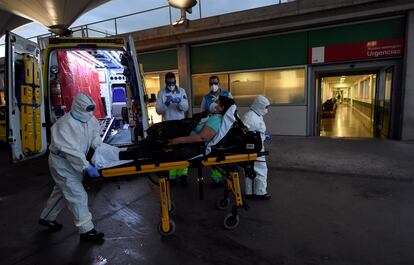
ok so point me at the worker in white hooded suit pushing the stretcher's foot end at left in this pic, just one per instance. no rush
(72, 136)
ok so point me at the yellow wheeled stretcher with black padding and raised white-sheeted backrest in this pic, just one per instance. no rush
(240, 151)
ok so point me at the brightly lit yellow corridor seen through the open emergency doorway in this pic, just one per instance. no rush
(347, 105)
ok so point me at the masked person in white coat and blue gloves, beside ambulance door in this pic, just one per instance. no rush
(172, 103)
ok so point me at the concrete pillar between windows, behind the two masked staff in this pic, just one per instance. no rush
(184, 72)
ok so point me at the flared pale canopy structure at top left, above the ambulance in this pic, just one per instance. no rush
(57, 15)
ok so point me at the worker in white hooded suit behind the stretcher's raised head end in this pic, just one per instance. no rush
(253, 119)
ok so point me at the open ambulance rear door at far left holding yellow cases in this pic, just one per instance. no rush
(25, 121)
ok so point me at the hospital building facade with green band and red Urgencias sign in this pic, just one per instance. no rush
(300, 55)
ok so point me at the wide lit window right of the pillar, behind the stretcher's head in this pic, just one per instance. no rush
(285, 86)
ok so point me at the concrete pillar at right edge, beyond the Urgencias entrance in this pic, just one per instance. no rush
(408, 81)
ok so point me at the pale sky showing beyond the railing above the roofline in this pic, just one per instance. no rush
(131, 22)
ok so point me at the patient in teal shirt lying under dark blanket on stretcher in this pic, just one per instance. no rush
(195, 137)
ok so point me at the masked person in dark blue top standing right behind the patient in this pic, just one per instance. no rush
(206, 104)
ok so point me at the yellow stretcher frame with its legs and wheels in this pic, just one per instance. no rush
(167, 226)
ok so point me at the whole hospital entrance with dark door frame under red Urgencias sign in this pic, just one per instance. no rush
(359, 100)
